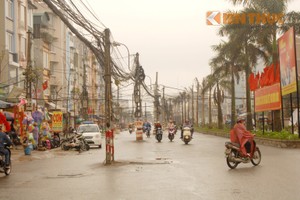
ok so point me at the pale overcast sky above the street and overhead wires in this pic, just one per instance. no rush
(171, 36)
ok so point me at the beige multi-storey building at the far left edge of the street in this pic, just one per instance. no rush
(15, 21)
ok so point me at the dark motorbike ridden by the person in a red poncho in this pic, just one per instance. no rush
(234, 155)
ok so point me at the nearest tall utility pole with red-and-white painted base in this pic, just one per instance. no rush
(108, 95)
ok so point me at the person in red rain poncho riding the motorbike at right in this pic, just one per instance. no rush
(244, 138)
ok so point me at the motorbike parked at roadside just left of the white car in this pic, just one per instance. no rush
(77, 141)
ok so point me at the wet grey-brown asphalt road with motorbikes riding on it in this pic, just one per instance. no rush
(151, 170)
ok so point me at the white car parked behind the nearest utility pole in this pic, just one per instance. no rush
(91, 133)
